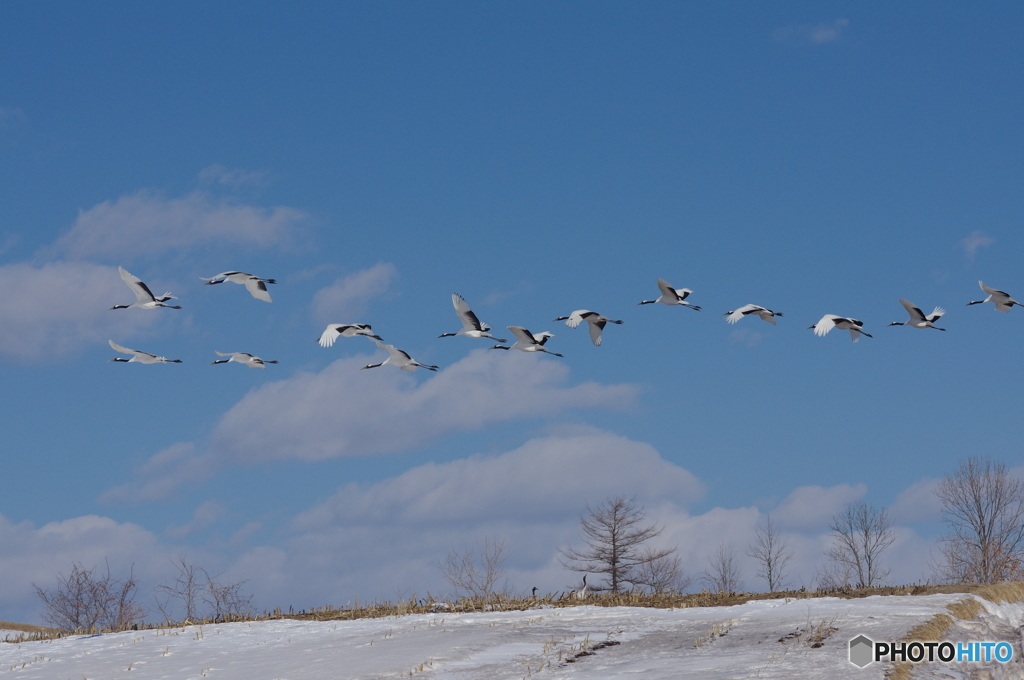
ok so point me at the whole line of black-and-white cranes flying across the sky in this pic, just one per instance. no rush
(526, 342)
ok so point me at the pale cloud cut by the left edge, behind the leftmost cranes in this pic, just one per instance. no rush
(55, 310)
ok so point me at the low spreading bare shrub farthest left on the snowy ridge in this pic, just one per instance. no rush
(88, 601)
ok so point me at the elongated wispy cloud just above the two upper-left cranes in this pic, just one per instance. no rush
(146, 224)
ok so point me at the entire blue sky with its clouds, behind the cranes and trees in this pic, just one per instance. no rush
(536, 158)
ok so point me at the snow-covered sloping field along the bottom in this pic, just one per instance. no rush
(742, 642)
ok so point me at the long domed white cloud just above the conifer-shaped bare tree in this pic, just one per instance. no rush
(548, 477)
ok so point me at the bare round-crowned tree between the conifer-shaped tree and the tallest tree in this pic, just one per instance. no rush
(862, 533)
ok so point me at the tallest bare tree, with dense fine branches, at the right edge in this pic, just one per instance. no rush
(984, 507)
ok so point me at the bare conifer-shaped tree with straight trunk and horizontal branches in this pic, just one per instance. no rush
(615, 534)
